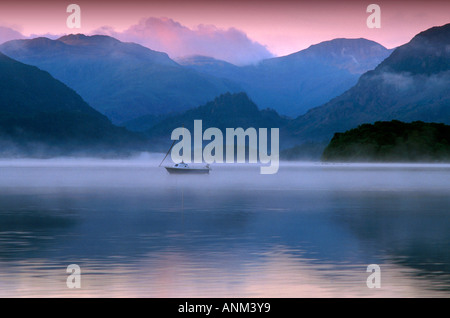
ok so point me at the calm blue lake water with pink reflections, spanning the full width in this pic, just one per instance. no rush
(308, 231)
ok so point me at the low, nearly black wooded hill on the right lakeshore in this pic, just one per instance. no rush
(393, 141)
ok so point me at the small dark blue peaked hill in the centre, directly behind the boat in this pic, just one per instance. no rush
(225, 111)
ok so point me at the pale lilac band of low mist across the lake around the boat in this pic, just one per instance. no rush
(144, 173)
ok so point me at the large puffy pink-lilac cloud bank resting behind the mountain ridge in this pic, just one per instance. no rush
(171, 37)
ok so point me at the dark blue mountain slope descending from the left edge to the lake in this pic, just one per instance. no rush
(39, 115)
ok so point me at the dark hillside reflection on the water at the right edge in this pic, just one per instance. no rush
(411, 229)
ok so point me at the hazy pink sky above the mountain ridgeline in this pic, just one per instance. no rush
(279, 27)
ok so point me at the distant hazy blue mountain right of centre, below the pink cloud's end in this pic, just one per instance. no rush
(295, 83)
